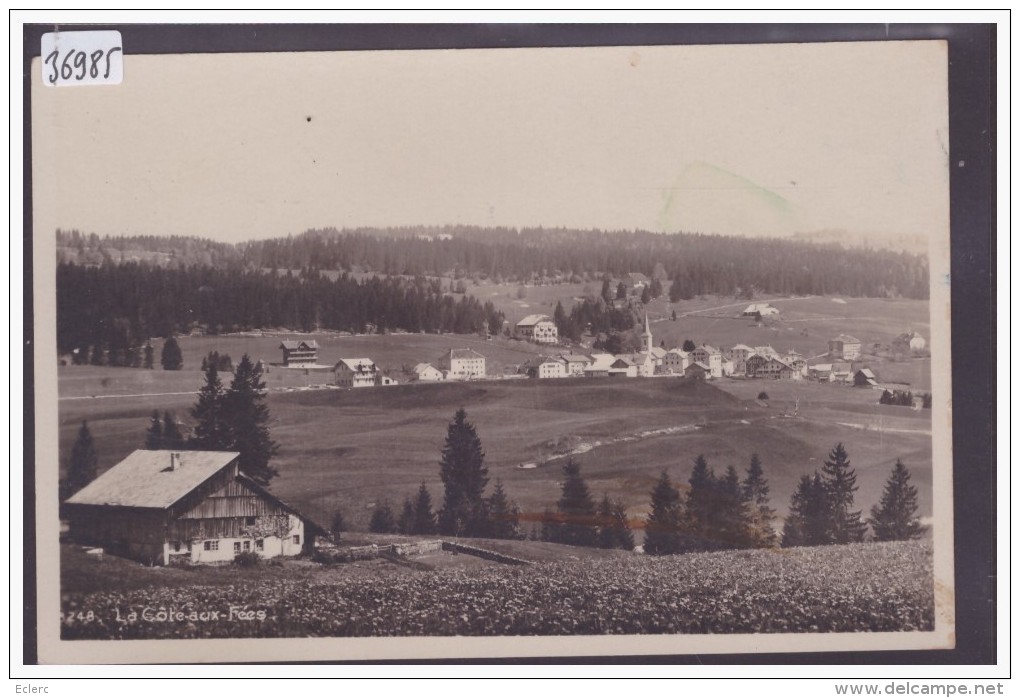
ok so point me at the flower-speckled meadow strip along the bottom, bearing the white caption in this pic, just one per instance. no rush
(863, 587)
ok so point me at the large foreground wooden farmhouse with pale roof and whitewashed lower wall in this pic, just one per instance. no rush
(191, 507)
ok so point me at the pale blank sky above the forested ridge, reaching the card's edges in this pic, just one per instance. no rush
(748, 140)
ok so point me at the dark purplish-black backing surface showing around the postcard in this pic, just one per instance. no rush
(973, 138)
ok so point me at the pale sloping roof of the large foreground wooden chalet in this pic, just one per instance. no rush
(145, 480)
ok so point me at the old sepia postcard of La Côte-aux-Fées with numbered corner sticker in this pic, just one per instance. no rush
(492, 353)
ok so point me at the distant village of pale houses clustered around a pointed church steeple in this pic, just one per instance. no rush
(842, 365)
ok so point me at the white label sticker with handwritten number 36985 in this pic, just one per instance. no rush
(82, 59)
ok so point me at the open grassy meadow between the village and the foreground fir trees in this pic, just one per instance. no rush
(352, 451)
